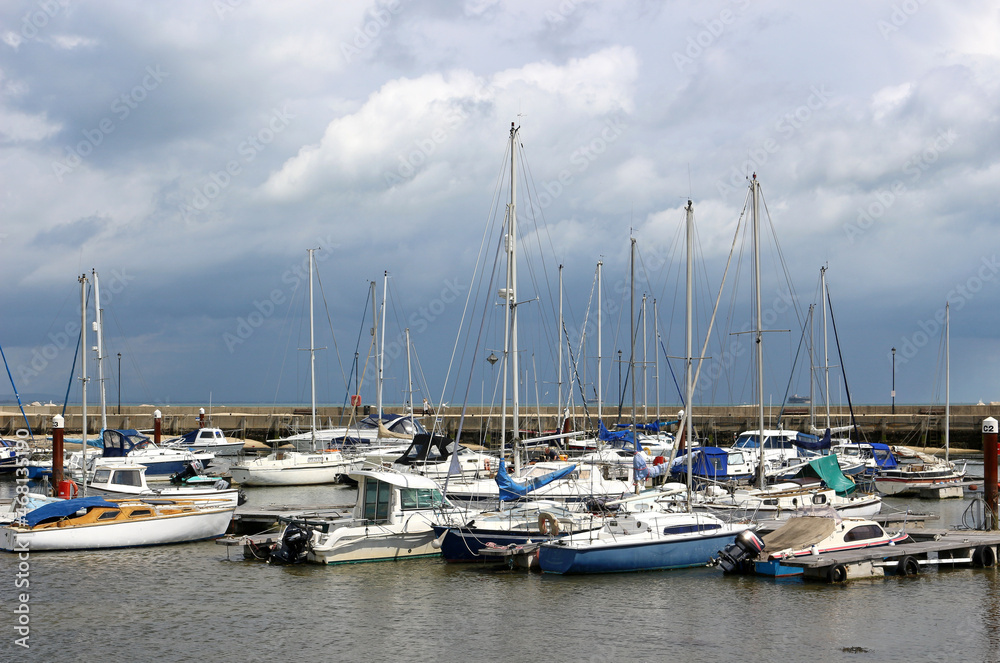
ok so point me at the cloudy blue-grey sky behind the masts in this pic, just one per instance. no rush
(191, 152)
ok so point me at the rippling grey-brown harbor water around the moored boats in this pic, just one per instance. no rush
(204, 602)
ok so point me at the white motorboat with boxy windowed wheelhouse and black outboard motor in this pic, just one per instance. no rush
(393, 518)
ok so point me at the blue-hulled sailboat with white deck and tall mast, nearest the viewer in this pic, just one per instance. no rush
(648, 538)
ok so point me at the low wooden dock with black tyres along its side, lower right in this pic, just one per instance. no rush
(930, 548)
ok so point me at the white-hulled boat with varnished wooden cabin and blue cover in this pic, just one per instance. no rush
(91, 523)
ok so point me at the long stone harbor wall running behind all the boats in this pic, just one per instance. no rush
(915, 425)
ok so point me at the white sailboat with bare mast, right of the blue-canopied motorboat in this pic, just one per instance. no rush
(295, 468)
